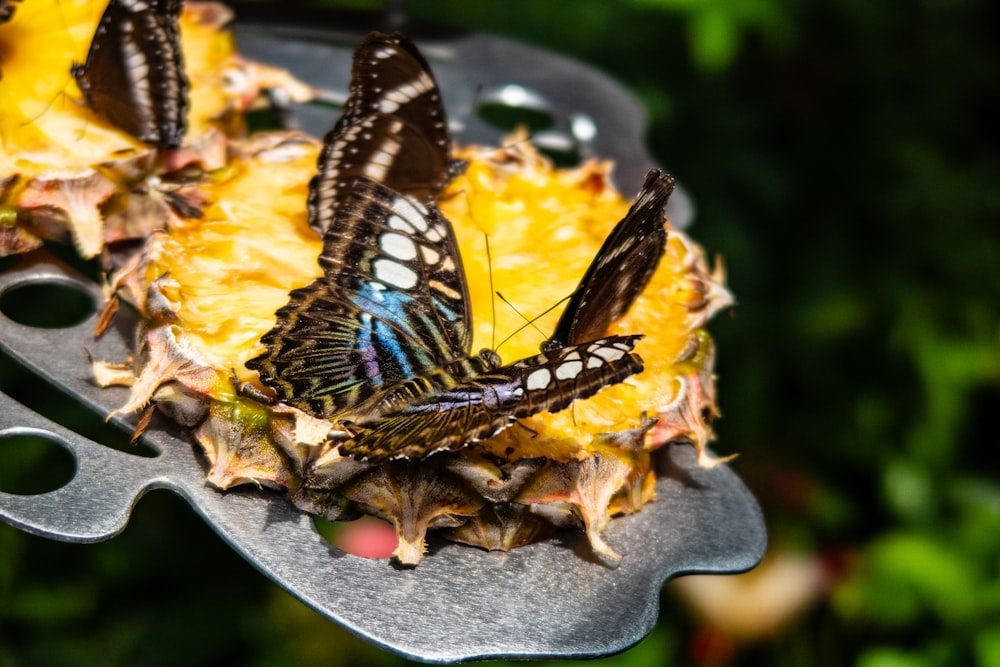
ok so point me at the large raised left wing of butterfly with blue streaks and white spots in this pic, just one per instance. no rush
(392, 305)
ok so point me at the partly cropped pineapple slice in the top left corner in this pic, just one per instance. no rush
(66, 174)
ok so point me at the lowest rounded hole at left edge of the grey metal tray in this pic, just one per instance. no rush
(33, 464)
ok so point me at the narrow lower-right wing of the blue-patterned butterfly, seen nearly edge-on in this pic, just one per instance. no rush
(488, 403)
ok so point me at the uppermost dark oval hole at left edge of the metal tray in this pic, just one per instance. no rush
(47, 305)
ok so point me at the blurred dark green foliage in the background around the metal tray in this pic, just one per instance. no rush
(844, 160)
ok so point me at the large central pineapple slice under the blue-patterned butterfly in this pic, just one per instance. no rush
(208, 289)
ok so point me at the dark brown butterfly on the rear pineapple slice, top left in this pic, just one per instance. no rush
(133, 76)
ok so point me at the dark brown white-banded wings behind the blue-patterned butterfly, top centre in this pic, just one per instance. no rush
(393, 130)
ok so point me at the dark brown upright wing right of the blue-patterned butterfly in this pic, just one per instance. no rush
(621, 269)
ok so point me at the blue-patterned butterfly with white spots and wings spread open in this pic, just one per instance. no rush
(382, 341)
